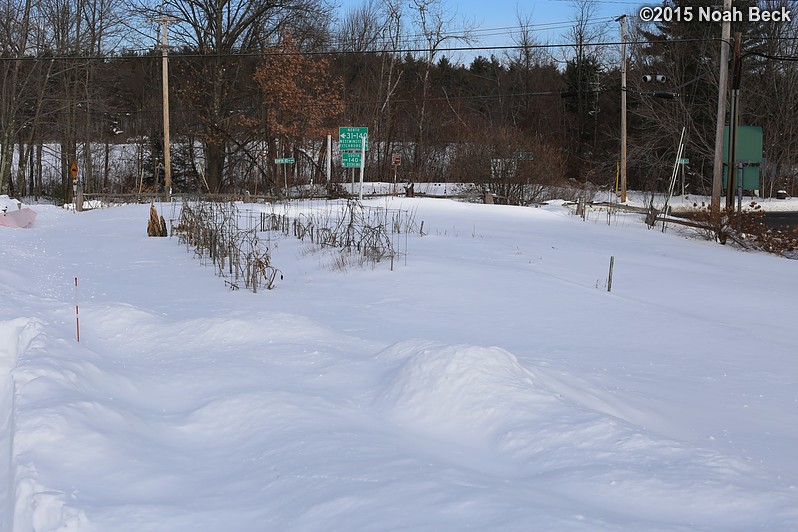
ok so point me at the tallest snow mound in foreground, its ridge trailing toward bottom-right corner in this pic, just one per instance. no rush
(481, 409)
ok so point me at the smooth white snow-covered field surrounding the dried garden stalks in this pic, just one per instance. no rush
(489, 382)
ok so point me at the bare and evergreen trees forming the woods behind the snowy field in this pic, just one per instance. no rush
(252, 81)
